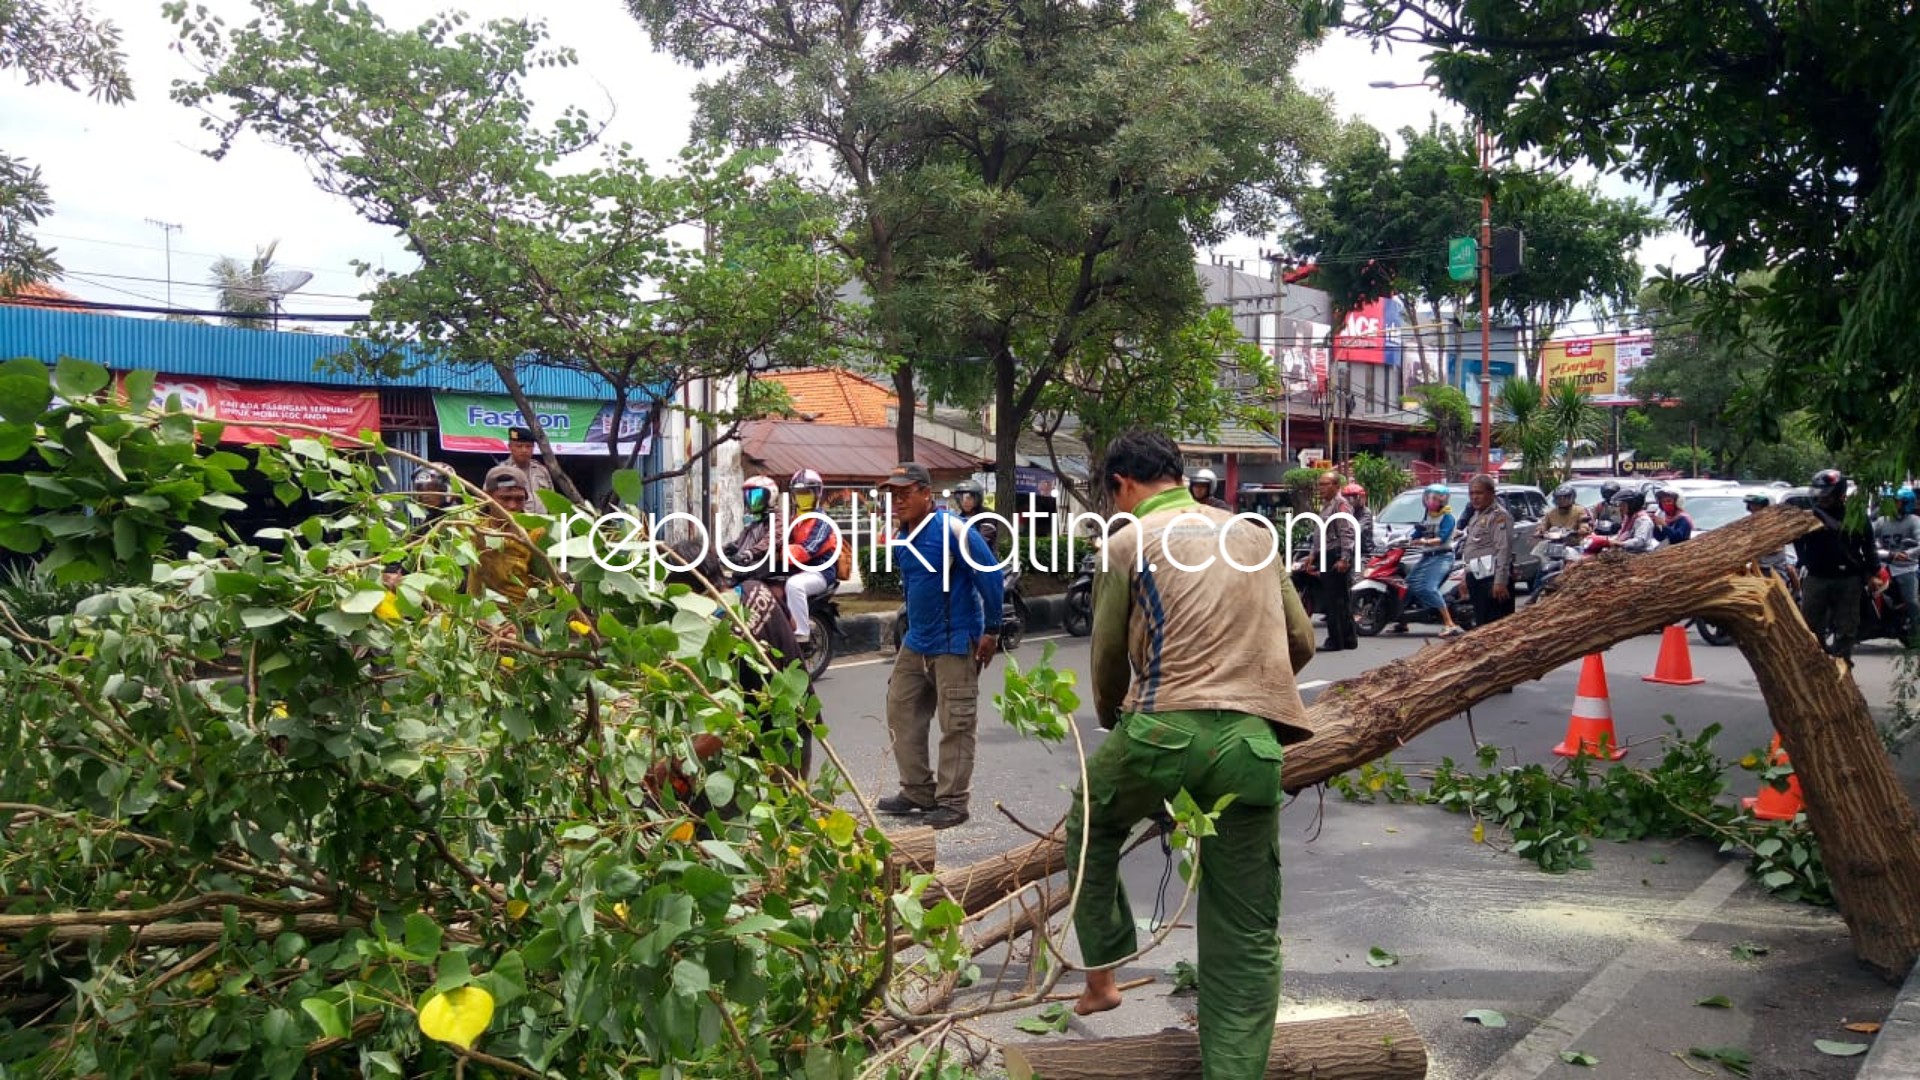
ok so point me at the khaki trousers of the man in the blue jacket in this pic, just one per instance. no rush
(923, 687)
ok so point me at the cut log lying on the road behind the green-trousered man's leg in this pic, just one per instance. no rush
(1374, 1046)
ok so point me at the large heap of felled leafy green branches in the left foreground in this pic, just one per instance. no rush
(322, 802)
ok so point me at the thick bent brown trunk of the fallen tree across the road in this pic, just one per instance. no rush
(1858, 810)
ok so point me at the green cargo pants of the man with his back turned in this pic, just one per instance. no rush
(1143, 764)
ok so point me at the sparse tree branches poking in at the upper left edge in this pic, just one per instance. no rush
(74, 49)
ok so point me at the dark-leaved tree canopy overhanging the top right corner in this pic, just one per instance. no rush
(1787, 135)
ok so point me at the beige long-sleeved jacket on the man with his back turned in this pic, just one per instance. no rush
(1166, 639)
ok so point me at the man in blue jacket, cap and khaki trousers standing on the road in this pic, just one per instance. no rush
(953, 624)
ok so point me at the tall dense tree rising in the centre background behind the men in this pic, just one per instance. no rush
(1047, 168)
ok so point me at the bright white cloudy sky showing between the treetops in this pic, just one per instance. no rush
(114, 172)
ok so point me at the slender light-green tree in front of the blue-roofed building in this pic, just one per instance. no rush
(529, 255)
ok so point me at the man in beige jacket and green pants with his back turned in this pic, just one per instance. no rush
(1193, 668)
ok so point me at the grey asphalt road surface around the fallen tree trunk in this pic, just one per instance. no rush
(1608, 962)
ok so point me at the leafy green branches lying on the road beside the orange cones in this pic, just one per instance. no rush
(1554, 816)
